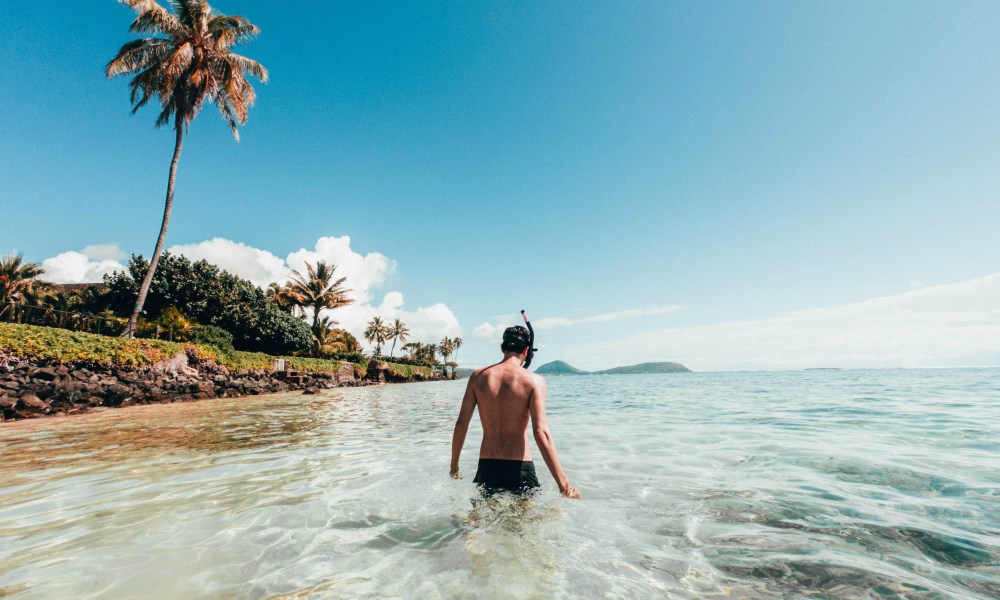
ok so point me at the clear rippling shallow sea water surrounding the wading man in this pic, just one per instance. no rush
(833, 484)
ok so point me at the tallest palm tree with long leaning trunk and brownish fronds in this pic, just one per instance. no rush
(192, 65)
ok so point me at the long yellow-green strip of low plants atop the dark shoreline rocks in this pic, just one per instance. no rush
(63, 346)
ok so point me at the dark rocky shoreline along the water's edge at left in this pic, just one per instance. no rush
(30, 389)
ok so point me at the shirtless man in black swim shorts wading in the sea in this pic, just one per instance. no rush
(507, 395)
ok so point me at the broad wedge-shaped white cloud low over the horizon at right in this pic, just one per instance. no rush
(945, 325)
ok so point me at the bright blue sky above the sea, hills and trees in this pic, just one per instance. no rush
(650, 177)
